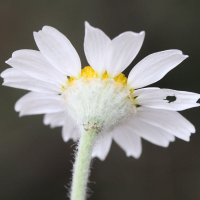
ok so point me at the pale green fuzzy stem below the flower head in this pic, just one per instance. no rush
(82, 164)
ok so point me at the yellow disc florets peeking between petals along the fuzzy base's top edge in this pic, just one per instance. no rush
(88, 72)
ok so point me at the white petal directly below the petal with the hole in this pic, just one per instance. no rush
(170, 121)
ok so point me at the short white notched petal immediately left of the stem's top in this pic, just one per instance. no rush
(69, 130)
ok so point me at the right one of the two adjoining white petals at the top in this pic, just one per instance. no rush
(121, 52)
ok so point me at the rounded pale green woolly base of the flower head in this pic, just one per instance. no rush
(98, 103)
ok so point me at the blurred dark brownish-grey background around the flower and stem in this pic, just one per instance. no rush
(35, 163)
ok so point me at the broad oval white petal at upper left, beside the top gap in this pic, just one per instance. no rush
(58, 50)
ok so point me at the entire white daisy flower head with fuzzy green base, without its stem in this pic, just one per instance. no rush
(100, 96)
